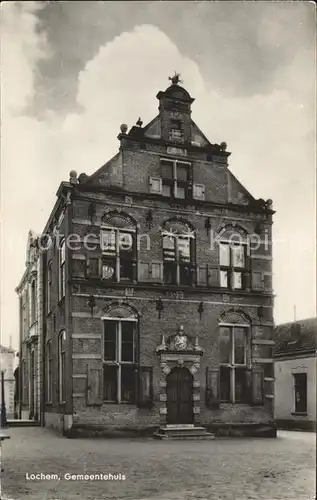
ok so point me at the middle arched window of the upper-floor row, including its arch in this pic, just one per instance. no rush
(178, 253)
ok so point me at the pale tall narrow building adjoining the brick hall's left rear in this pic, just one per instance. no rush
(28, 373)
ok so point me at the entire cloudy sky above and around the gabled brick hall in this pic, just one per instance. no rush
(72, 72)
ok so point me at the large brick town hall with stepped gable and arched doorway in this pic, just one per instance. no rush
(147, 320)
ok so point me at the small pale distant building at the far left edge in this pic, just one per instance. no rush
(7, 365)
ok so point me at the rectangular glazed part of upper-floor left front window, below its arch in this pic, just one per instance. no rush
(118, 254)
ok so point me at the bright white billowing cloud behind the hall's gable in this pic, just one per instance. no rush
(270, 138)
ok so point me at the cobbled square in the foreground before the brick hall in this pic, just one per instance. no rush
(223, 469)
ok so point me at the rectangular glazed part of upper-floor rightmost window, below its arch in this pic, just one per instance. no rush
(232, 257)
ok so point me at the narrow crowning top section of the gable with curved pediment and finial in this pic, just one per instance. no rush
(175, 113)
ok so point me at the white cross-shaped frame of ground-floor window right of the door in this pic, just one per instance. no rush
(232, 365)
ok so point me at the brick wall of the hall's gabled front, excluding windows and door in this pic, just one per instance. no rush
(123, 184)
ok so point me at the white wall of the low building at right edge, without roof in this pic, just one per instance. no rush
(284, 371)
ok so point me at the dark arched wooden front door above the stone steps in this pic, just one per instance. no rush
(179, 397)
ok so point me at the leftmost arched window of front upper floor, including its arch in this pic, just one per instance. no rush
(118, 247)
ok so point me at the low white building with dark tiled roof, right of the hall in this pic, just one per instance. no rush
(295, 374)
